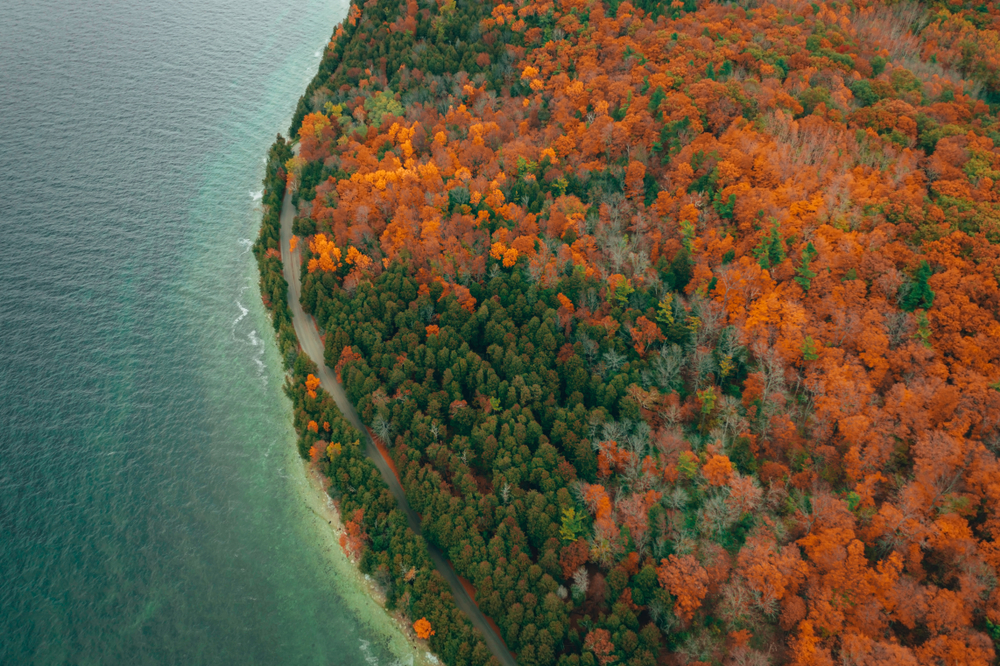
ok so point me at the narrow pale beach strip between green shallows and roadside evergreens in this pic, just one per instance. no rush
(320, 502)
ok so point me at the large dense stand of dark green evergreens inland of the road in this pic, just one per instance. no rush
(492, 417)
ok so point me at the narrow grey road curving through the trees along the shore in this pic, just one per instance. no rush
(309, 339)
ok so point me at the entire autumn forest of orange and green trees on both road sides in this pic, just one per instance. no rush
(679, 321)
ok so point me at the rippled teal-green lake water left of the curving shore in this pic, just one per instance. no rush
(152, 509)
